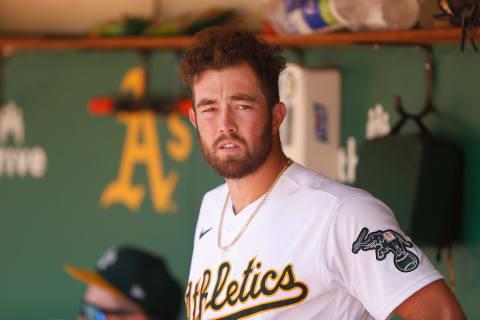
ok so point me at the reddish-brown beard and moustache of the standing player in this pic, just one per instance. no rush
(235, 167)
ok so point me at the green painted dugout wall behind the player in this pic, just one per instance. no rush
(56, 216)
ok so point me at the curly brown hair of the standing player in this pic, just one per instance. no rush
(217, 48)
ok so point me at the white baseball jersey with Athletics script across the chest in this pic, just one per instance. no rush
(316, 249)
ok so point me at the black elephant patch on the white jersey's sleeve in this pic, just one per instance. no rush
(384, 242)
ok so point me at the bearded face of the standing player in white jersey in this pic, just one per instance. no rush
(233, 121)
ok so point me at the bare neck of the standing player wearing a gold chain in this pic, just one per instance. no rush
(251, 187)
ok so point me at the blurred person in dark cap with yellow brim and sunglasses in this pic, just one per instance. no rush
(128, 283)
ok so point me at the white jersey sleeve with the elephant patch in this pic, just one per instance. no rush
(366, 253)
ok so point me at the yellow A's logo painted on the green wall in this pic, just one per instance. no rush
(142, 147)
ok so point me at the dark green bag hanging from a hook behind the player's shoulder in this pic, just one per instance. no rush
(420, 178)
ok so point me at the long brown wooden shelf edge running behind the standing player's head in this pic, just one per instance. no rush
(420, 36)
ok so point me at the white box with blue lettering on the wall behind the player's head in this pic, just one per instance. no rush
(310, 133)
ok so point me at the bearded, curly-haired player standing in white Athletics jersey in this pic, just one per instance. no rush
(279, 241)
